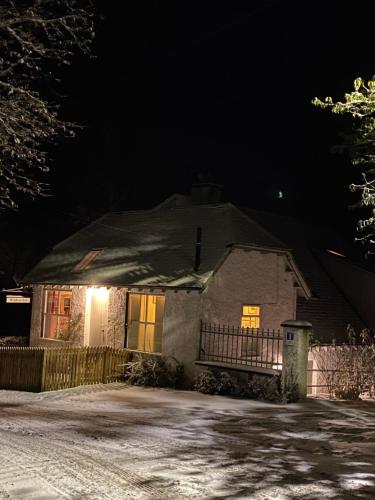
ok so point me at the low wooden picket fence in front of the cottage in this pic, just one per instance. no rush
(37, 369)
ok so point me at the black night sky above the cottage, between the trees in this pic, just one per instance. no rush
(218, 91)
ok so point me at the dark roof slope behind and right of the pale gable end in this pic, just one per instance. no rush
(328, 309)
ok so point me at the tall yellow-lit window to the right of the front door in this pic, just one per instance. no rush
(145, 322)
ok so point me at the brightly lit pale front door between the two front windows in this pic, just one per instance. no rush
(98, 317)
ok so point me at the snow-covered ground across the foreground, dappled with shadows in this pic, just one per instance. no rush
(119, 442)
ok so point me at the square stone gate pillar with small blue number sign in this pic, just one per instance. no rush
(296, 336)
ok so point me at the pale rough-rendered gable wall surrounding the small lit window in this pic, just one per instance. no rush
(251, 277)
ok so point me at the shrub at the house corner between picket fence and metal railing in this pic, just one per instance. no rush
(155, 372)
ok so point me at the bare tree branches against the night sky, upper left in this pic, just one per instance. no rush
(36, 38)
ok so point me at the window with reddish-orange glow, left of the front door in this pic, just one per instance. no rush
(57, 309)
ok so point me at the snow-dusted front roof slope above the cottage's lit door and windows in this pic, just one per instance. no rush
(152, 247)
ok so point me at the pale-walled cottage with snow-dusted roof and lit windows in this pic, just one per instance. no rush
(146, 279)
